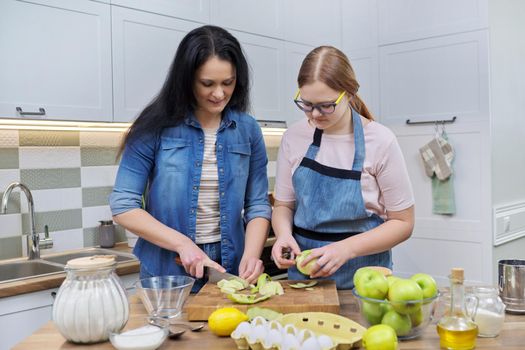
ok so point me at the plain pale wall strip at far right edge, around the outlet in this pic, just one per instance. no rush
(508, 122)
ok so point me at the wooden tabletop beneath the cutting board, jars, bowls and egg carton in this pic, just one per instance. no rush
(512, 337)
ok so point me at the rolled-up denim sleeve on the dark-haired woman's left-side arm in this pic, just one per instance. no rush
(135, 166)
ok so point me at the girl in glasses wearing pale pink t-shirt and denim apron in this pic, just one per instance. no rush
(347, 198)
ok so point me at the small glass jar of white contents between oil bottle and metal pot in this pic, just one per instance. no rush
(490, 314)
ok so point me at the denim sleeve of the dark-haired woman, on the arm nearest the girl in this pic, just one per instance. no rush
(256, 203)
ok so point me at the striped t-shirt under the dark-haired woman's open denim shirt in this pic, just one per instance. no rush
(208, 214)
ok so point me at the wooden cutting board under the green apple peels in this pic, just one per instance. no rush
(323, 298)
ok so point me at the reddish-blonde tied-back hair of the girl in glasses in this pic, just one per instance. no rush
(331, 67)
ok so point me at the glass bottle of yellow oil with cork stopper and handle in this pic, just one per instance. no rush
(456, 329)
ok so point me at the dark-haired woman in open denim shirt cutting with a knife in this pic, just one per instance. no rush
(203, 161)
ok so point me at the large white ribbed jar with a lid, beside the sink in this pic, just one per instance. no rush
(91, 302)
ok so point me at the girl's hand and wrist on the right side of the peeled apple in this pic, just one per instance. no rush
(330, 258)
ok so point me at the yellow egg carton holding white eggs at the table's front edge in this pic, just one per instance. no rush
(304, 331)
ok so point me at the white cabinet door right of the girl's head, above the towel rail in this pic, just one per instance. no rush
(436, 79)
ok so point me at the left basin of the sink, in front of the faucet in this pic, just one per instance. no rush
(27, 269)
